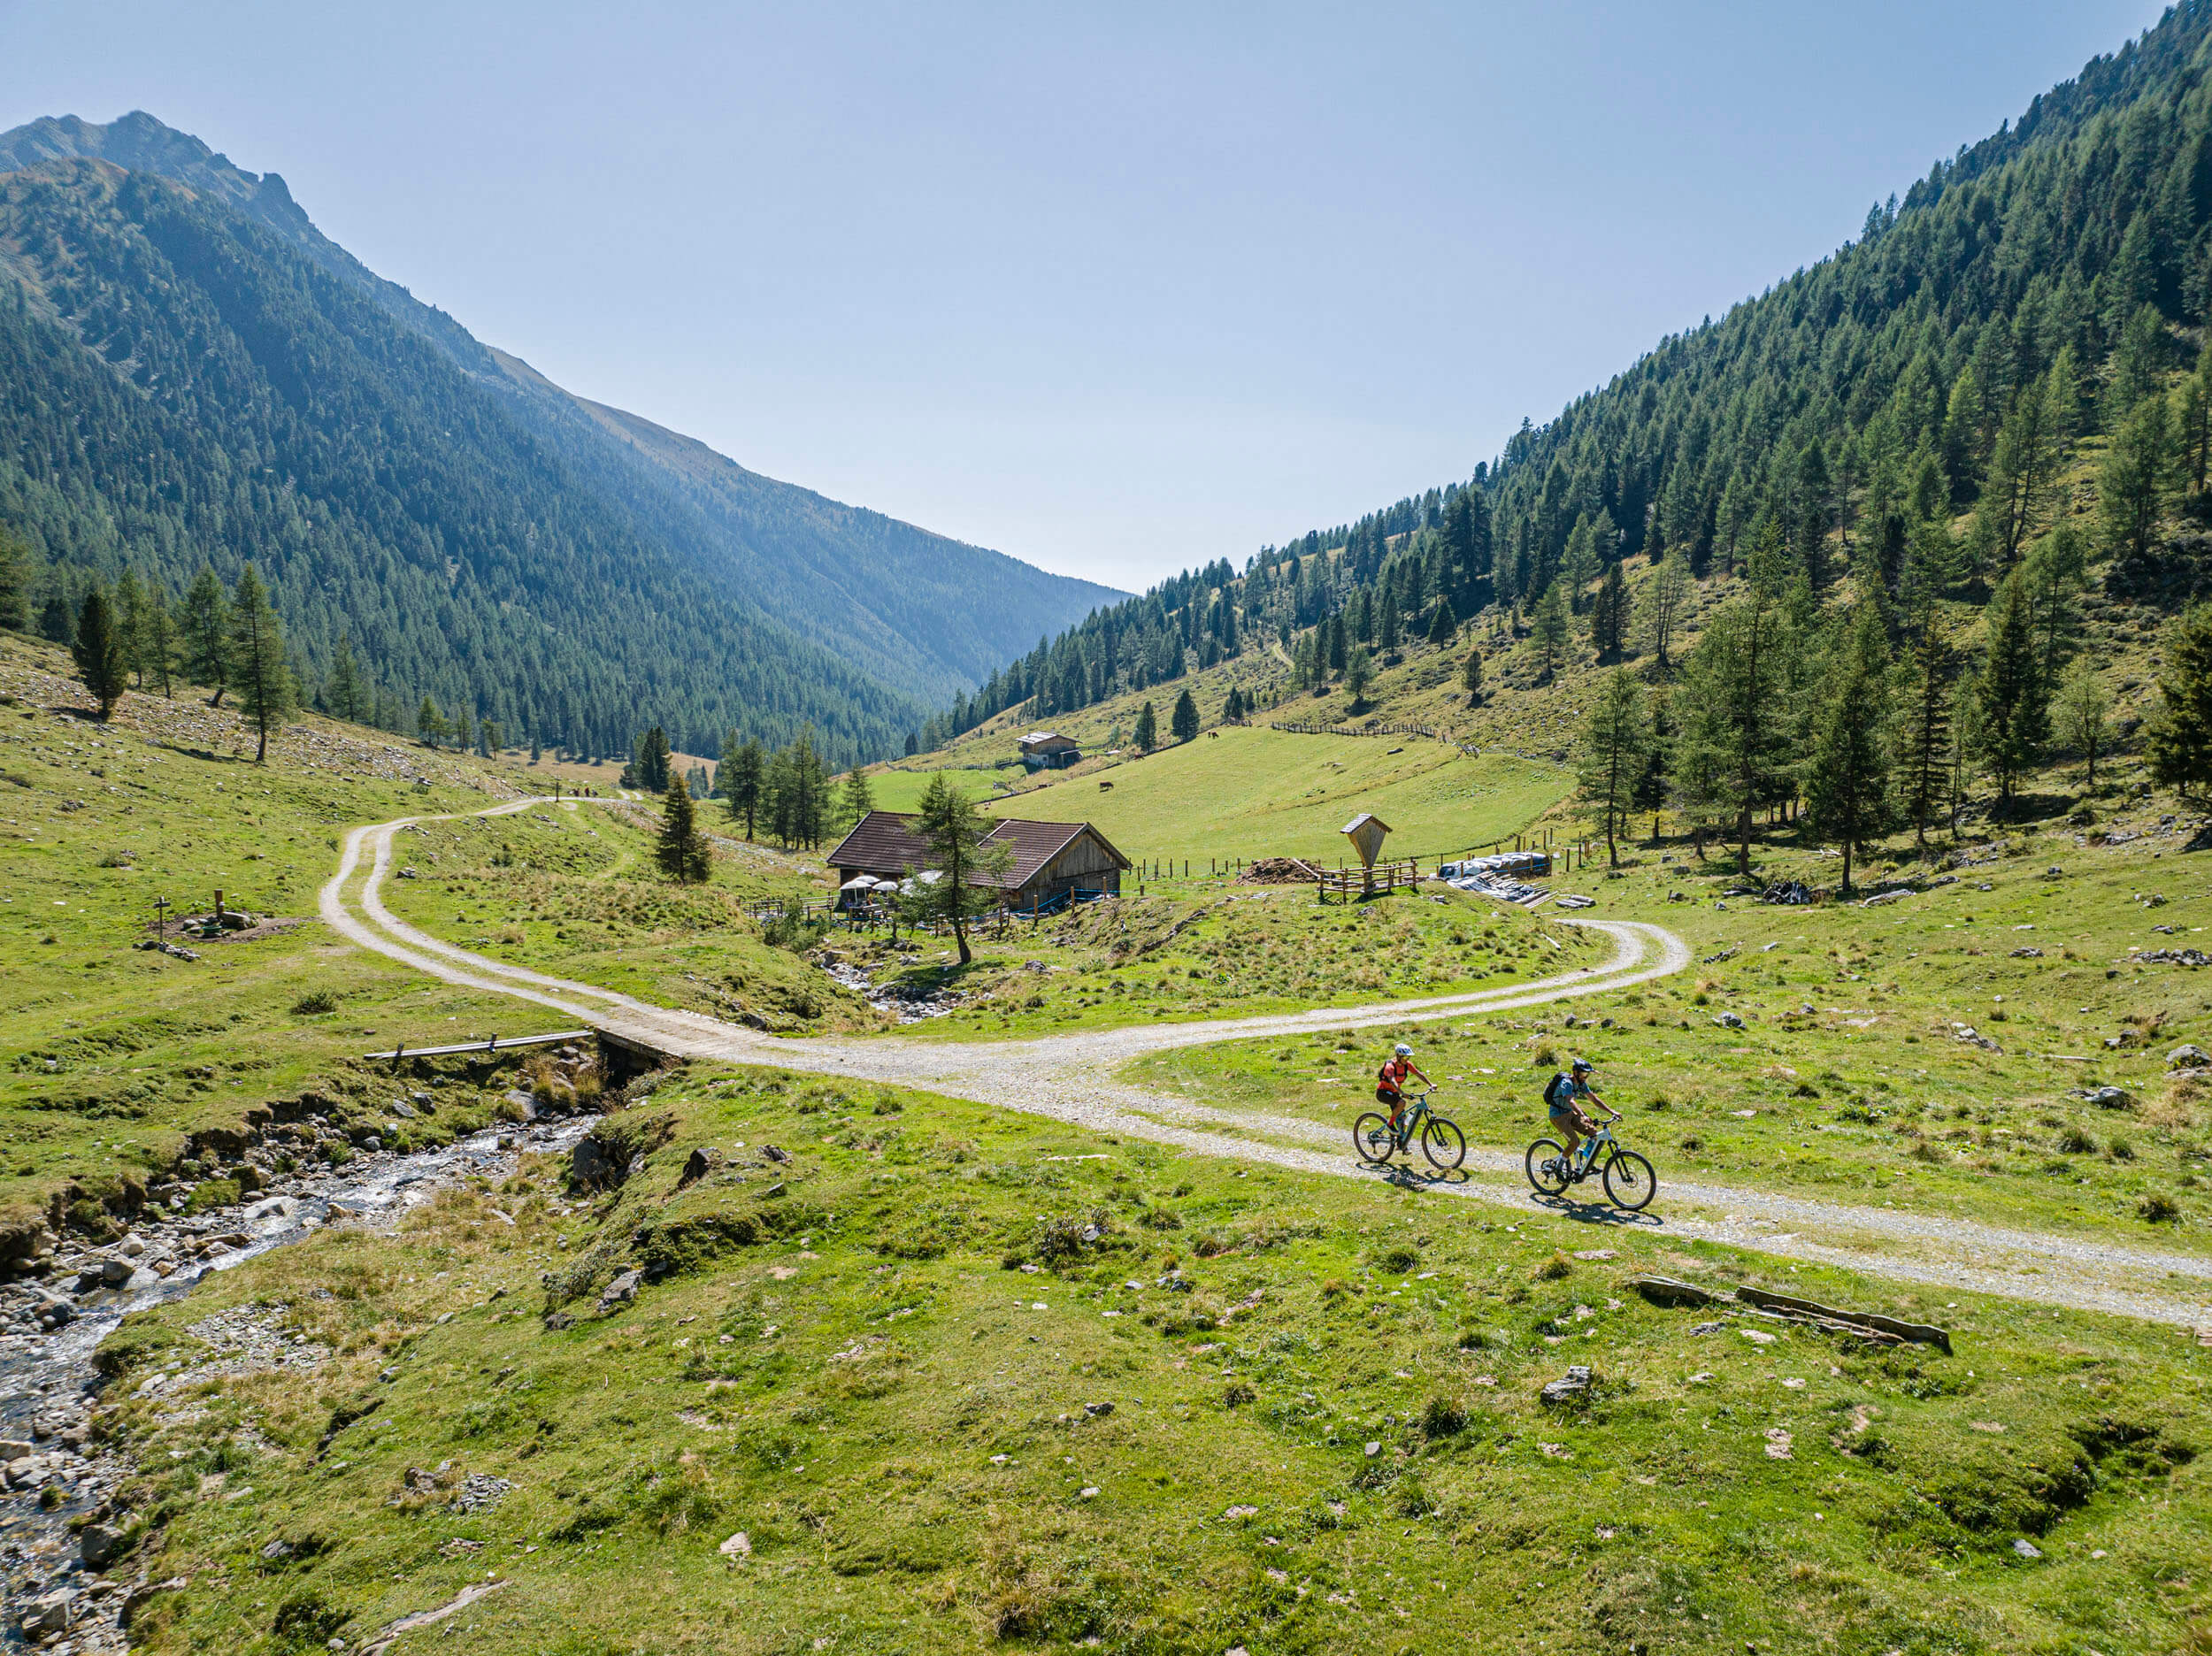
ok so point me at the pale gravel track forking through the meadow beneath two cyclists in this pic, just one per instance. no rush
(1072, 1078)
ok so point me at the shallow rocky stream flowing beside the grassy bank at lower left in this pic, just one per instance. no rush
(54, 1471)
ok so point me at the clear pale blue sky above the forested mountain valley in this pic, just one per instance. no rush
(1116, 289)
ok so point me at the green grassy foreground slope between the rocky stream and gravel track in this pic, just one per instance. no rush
(910, 1405)
